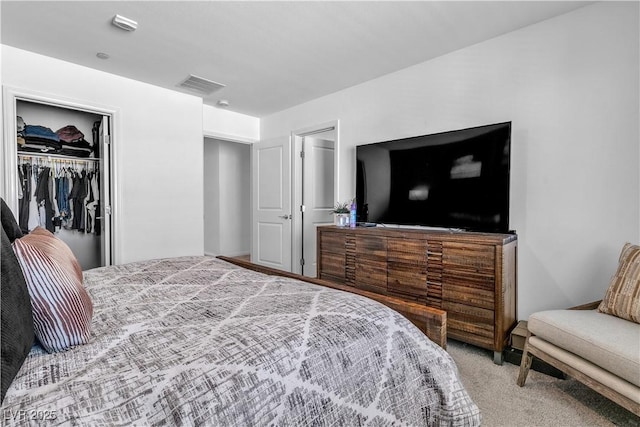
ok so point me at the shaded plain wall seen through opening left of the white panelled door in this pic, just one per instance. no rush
(227, 174)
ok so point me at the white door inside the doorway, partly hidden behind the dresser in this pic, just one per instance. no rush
(317, 195)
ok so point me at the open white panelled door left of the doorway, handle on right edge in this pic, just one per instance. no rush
(271, 189)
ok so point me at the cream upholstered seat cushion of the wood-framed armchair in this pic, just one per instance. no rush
(604, 340)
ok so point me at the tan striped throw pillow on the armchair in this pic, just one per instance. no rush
(622, 299)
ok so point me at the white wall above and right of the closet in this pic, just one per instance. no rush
(158, 204)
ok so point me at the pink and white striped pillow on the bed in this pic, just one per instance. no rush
(62, 308)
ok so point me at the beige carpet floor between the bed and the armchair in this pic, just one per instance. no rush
(543, 401)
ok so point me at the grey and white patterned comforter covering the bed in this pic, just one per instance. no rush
(198, 341)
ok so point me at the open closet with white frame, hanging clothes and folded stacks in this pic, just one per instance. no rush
(57, 172)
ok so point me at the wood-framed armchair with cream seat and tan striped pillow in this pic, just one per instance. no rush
(598, 344)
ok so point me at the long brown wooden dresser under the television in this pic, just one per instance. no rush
(471, 276)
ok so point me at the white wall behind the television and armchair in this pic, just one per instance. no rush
(570, 85)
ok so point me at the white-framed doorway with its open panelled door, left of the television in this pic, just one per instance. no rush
(294, 188)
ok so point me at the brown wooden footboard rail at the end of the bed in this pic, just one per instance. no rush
(431, 321)
